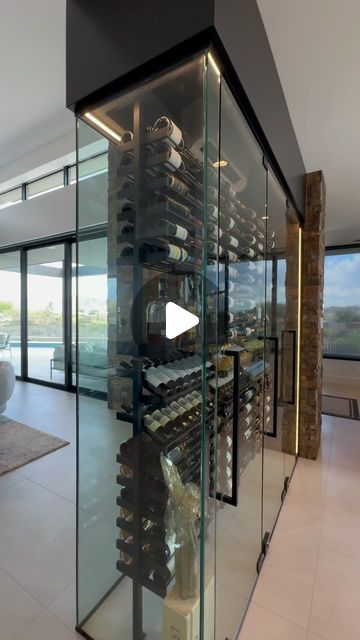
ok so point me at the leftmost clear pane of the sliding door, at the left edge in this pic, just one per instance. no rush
(10, 333)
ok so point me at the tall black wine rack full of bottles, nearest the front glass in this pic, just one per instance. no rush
(157, 195)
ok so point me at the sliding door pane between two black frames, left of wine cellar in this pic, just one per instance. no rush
(45, 285)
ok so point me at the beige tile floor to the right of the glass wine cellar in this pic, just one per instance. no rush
(309, 585)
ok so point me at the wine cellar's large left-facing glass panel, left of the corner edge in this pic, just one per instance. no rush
(144, 443)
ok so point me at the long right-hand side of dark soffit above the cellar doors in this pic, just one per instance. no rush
(240, 27)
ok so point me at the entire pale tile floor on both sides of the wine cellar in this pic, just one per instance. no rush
(308, 589)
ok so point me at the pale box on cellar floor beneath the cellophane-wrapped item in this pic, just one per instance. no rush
(181, 618)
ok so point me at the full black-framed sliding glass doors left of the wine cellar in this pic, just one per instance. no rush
(37, 328)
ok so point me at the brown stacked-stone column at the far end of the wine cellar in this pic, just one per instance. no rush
(313, 254)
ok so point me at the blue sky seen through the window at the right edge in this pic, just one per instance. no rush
(342, 280)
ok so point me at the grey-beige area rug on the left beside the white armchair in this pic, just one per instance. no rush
(20, 444)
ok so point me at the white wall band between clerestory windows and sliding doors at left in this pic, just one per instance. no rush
(47, 215)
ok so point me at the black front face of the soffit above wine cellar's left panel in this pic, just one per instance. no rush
(107, 39)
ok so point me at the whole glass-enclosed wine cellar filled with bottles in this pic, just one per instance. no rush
(187, 422)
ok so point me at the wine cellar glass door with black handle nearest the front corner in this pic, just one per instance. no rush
(240, 365)
